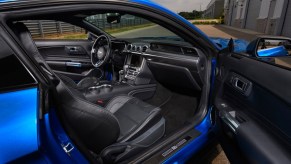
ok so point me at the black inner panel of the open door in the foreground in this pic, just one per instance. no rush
(254, 107)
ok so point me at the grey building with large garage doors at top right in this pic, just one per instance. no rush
(271, 17)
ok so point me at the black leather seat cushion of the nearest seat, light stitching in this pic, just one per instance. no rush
(134, 116)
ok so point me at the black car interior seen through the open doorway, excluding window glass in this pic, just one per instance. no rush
(118, 97)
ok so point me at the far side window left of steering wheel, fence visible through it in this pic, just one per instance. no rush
(50, 29)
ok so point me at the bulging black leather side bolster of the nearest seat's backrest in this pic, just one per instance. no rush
(96, 127)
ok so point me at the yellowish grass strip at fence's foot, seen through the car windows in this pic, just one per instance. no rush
(83, 36)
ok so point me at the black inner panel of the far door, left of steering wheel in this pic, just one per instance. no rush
(68, 57)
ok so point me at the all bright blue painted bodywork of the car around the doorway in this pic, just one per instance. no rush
(22, 137)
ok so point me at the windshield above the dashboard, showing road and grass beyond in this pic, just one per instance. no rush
(129, 26)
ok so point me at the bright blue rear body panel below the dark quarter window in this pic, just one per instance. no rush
(18, 124)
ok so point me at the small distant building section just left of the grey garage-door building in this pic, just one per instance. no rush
(214, 9)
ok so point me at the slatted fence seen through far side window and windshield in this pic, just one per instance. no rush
(43, 28)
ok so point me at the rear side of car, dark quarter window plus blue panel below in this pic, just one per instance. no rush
(19, 107)
